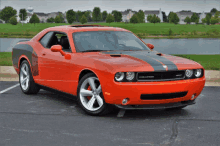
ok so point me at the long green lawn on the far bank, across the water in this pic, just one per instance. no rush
(143, 30)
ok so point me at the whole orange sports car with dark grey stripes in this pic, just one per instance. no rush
(106, 67)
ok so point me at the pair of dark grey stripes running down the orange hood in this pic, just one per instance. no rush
(151, 58)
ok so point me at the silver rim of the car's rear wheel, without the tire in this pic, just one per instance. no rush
(24, 76)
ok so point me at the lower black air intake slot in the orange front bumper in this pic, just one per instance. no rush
(163, 96)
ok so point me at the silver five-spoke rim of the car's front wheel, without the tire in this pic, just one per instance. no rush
(90, 94)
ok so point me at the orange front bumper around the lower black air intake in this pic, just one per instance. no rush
(115, 92)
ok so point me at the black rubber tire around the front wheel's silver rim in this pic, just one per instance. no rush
(104, 109)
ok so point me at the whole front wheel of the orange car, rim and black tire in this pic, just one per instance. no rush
(90, 97)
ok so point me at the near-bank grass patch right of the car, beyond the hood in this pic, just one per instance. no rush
(209, 62)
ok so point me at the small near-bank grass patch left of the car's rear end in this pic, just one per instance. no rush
(5, 59)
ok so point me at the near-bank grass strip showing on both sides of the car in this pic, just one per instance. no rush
(209, 62)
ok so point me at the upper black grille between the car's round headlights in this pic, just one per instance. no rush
(161, 76)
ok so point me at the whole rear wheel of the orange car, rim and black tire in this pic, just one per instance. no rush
(27, 84)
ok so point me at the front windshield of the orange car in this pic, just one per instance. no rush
(107, 41)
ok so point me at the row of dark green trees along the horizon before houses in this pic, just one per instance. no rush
(8, 14)
